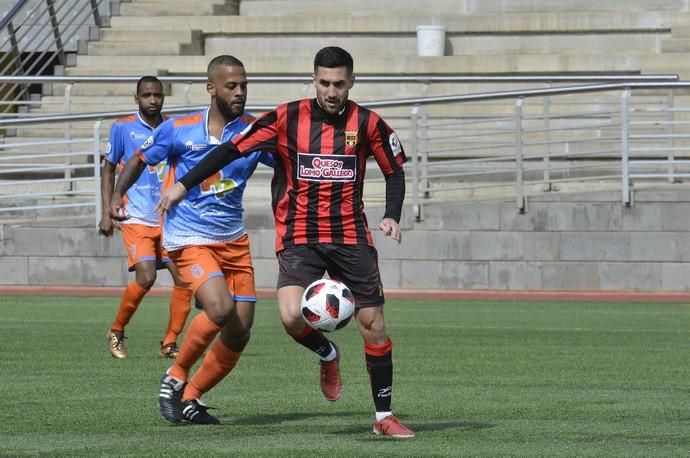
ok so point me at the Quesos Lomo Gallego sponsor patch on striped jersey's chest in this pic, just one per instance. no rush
(327, 167)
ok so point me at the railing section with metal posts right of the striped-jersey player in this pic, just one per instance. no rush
(526, 142)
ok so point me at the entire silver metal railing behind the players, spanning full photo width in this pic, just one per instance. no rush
(508, 143)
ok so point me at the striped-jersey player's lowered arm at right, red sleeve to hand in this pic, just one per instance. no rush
(390, 156)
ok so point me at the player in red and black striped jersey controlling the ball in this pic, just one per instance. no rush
(321, 146)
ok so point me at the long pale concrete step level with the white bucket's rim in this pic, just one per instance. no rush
(532, 23)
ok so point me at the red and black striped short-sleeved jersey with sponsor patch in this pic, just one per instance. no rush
(320, 164)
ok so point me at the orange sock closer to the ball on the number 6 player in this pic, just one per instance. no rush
(217, 364)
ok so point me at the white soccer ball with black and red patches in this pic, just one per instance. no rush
(327, 305)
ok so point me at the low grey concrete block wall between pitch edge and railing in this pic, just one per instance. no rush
(562, 242)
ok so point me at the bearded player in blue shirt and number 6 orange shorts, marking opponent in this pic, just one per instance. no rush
(206, 239)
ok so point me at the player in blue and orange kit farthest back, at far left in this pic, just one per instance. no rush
(141, 232)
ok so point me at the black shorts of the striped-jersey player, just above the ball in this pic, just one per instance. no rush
(355, 265)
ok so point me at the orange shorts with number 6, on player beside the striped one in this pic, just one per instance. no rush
(232, 260)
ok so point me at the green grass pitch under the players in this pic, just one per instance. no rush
(472, 378)
